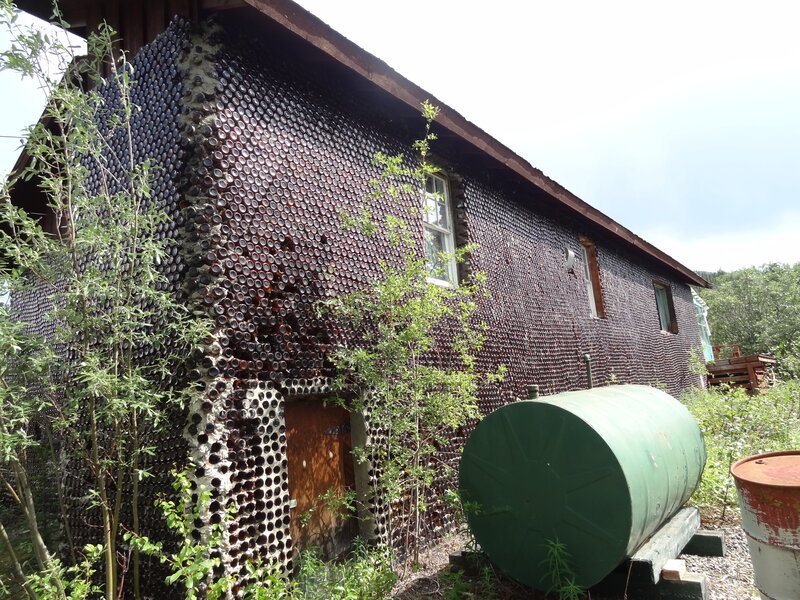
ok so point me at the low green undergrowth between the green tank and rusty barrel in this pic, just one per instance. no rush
(736, 425)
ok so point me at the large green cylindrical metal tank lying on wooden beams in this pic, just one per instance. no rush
(597, 470)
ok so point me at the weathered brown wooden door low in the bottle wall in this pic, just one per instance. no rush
(320, 465)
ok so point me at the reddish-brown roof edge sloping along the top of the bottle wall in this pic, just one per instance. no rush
(298, 20)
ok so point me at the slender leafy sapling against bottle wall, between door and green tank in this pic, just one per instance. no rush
(415, 389)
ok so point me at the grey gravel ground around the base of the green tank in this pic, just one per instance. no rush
(729, 577)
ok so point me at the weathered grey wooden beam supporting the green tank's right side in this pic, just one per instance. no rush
(666, 543)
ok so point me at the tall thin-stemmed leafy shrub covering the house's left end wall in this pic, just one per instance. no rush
(117, 332)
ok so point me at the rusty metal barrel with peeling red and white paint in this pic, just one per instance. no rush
(769, 497)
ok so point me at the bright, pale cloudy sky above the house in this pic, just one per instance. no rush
(679, 120)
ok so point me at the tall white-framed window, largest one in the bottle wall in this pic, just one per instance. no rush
(439, 238)
